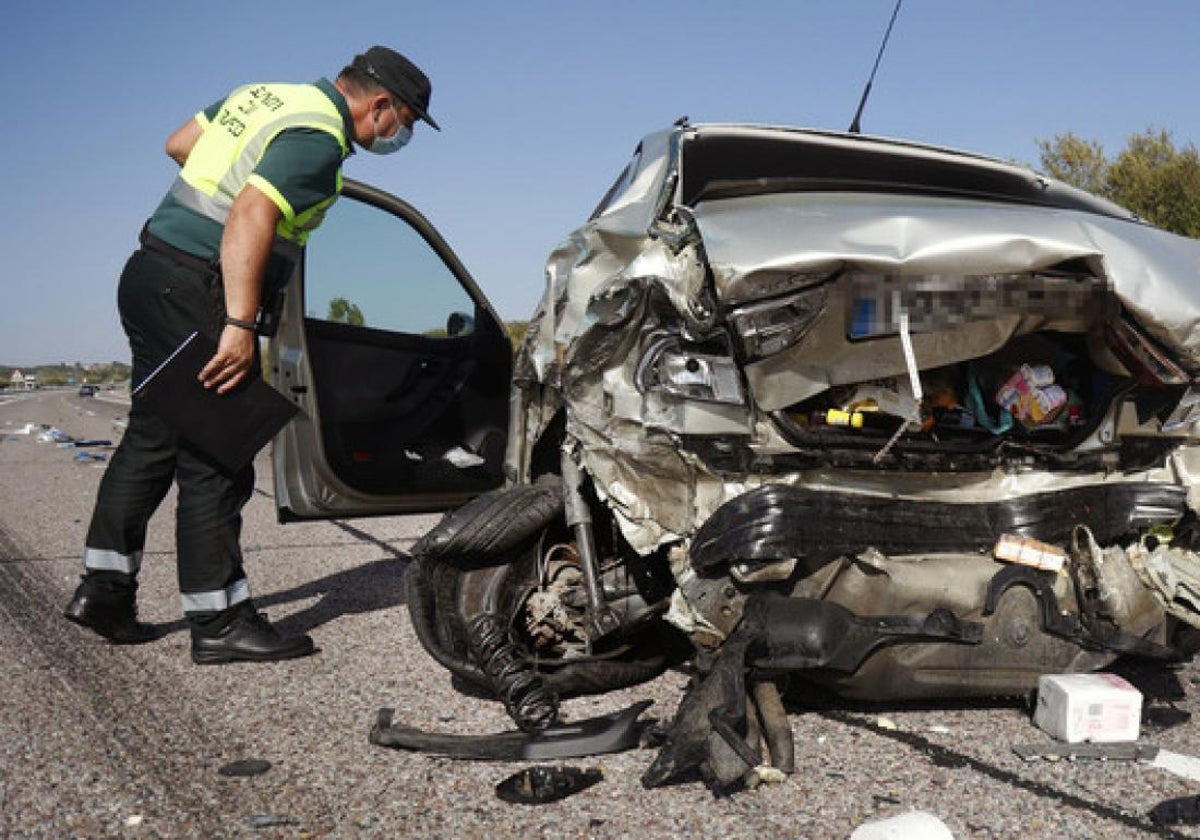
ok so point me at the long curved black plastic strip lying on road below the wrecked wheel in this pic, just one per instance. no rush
(596, 736)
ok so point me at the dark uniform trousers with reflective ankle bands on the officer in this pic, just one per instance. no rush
(161, 303)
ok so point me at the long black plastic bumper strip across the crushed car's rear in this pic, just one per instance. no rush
(781, 521)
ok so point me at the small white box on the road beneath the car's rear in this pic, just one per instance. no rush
(1096, 707)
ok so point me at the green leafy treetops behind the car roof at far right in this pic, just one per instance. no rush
(1150, 177)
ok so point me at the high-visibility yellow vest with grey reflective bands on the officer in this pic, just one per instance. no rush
(225, 155)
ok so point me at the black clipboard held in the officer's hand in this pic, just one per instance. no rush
(229, 428)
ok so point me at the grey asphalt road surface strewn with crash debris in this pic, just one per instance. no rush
(100, 741)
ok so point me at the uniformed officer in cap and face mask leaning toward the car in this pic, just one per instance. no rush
(259, 171)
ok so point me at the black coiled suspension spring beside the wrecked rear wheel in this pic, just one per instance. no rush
(515, 681)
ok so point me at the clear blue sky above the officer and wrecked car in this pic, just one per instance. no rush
(541, 104)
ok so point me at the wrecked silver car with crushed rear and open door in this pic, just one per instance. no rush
(895, 421)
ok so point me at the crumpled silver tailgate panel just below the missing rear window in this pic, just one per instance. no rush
(752, 241)
